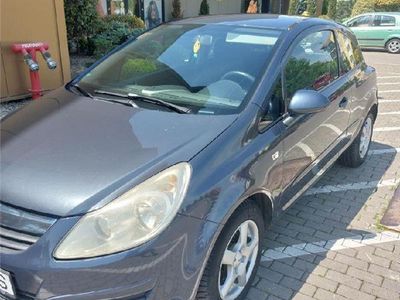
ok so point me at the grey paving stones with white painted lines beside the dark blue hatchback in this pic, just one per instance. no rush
(329, 244)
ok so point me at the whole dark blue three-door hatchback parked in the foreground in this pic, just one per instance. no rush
(155, 173)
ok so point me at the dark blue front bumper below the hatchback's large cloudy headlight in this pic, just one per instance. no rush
(167, 267)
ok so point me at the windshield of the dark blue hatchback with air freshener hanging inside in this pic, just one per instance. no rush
(210, 69)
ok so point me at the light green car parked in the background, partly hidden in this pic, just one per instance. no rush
(377, 30)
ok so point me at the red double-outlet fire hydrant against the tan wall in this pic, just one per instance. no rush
(28, 50)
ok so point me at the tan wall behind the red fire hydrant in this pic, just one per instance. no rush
(22, 21)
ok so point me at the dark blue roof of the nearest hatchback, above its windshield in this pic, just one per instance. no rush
(280, 22)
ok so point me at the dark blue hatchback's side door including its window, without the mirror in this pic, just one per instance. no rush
(312, 140)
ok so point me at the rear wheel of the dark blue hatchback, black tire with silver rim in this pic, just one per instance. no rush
(357, 152)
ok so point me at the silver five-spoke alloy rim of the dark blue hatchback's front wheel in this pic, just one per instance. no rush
(238, 261)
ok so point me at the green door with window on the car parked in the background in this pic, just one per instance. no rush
(382, 27)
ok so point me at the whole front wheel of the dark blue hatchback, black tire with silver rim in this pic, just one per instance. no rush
(245, 262)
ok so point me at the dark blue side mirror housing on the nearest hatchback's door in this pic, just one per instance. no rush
(307, 102)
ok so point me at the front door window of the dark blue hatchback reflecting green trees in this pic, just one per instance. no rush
(313, 63)
